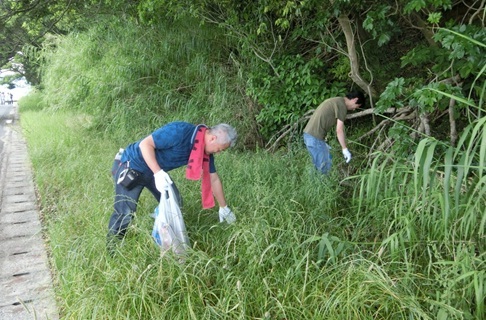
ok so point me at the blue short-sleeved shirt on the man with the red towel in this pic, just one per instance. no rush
(173, 146)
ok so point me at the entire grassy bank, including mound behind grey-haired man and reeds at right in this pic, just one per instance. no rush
(403, 239)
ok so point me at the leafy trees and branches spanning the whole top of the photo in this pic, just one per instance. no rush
(293, 54)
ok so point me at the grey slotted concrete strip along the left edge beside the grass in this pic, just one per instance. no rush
(26, 290)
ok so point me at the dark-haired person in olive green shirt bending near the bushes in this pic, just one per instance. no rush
(332, 112)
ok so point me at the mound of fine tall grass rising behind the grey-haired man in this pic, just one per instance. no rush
(132, 78)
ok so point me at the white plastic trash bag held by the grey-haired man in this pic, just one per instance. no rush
(169, 229)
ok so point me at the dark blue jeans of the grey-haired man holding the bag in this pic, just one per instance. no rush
(126, 200)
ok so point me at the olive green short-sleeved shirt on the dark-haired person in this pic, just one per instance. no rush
(325, 117)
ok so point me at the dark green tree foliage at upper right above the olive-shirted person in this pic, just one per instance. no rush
(393, 39)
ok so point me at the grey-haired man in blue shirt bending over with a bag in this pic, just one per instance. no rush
(167, 148)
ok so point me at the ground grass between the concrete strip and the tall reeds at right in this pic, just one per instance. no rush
(288, 256)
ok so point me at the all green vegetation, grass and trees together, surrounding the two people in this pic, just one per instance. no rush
(399, 233)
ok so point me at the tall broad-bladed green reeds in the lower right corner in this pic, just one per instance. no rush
(429, 216)
